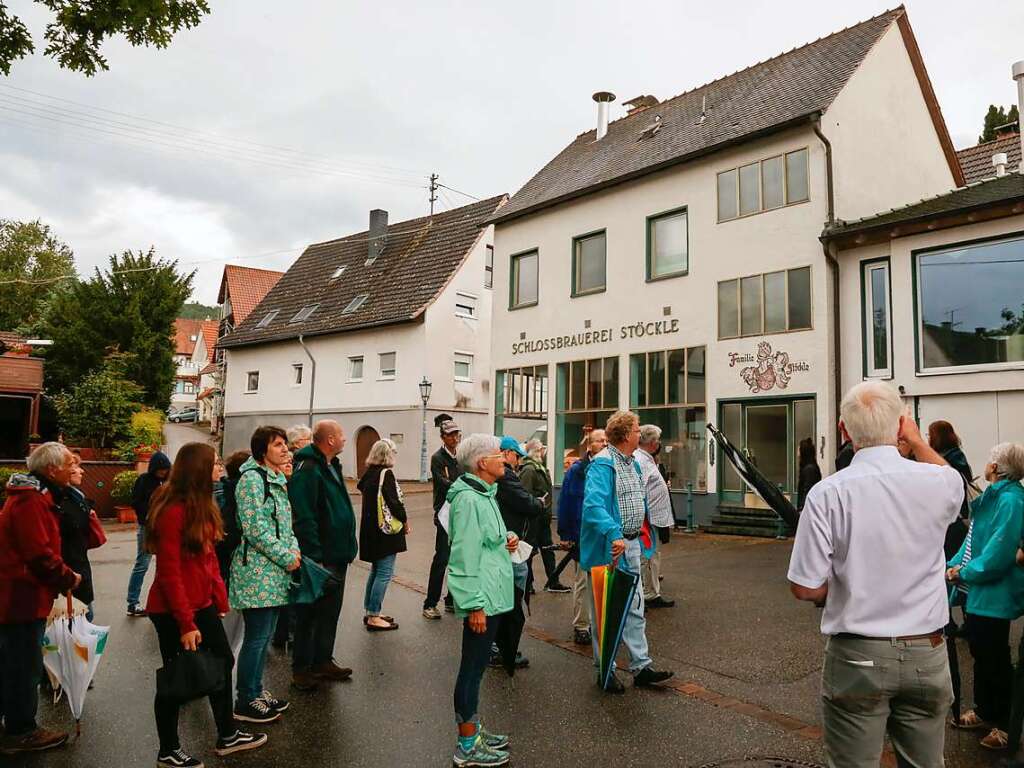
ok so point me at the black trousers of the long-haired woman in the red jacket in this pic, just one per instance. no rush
(215, 641)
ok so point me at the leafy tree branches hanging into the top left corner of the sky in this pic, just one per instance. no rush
(80, 27)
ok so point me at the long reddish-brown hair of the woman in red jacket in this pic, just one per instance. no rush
(191, 485)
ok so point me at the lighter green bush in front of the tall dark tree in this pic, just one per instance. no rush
(97, 412)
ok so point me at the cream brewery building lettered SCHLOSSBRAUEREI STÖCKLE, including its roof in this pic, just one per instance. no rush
(679, 273)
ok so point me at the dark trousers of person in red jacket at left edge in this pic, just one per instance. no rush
(21, 669)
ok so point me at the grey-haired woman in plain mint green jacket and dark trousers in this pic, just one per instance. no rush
(482, 588)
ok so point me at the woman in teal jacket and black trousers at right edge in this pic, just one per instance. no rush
(987, 568)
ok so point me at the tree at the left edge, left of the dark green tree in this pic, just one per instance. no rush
(31, 262)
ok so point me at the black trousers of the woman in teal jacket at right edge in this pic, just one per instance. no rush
(990, 644)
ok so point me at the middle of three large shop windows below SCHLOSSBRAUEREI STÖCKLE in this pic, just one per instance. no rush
(587, 397)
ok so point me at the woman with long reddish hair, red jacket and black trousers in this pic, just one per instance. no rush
(188, 598)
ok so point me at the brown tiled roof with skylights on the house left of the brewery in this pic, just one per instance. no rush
(420, 258)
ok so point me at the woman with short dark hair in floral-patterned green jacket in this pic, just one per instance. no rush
(261, 567)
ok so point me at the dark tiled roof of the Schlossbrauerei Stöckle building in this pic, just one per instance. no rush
(761, 99)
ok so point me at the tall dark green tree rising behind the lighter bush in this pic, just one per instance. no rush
(129, 308)
